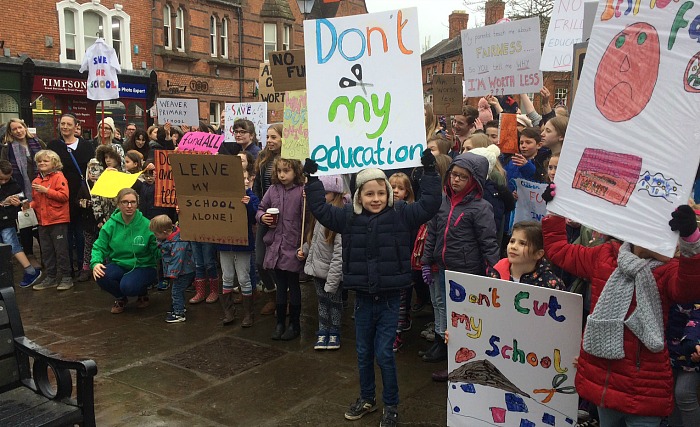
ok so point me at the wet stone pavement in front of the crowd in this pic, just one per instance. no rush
(200, 373)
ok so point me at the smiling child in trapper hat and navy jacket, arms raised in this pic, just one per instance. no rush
(376, 256)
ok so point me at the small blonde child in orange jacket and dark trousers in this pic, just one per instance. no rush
(50, 202)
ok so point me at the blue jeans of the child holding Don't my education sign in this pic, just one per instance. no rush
(376, 317)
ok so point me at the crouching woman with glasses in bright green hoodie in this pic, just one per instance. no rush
(126, 241)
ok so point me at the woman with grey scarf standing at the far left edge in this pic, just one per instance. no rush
(19, 147)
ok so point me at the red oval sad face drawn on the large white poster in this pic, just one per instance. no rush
(627, 72)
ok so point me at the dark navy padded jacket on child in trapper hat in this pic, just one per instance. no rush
(376, 247)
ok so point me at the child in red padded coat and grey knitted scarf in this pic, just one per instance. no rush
(624, 364)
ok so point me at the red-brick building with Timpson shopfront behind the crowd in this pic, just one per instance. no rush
(208, 49)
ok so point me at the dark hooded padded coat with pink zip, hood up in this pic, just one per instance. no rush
(462, 236)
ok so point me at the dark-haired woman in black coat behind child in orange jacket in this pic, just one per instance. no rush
(75, 153)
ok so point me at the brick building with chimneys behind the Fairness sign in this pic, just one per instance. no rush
(446, 56)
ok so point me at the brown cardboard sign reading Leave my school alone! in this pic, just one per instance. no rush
(210, 189)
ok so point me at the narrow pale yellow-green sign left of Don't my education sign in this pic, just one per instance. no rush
(295, 126)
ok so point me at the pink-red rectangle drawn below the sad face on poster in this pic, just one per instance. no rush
(609, 176)
